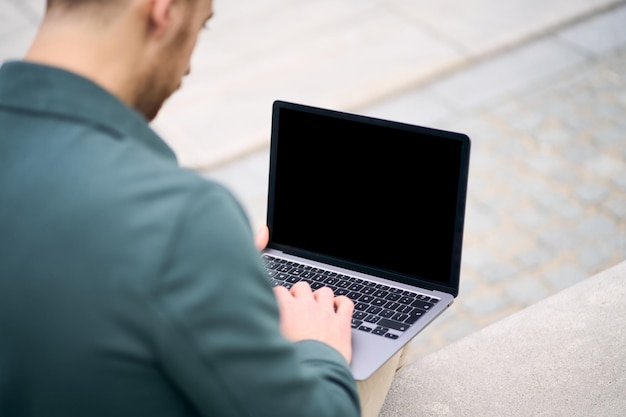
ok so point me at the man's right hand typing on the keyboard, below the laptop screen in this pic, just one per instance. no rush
(319, 315)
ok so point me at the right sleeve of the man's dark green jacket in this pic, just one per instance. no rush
(220, 341)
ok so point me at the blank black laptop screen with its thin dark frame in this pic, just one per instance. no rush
(383, 197)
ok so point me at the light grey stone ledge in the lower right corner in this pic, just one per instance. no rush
(564, 356)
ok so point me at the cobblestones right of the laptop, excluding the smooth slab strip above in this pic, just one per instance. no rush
(547, 195)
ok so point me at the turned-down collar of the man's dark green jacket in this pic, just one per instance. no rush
(44, 89)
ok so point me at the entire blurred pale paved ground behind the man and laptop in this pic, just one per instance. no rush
(539, 86)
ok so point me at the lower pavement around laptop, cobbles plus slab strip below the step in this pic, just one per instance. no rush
(547, 193)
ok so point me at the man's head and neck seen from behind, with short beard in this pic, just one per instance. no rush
(139, 50)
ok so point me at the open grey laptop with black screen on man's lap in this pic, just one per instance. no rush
(372, 208)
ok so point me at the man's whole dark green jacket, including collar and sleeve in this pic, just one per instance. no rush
(130, 286)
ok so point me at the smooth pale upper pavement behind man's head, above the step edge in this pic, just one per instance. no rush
(344, 54)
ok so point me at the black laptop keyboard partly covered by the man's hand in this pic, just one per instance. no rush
(378, 309)
